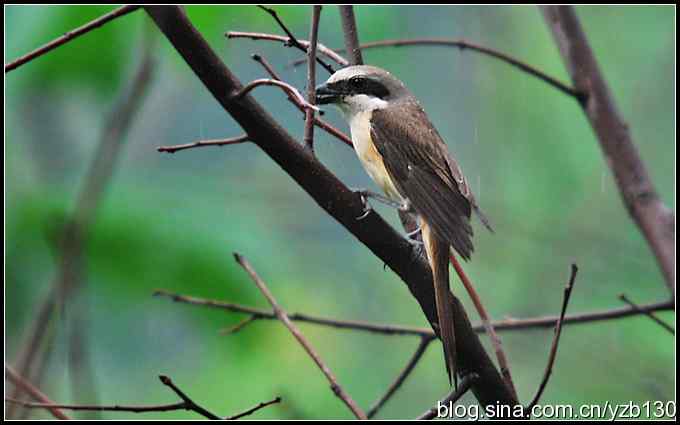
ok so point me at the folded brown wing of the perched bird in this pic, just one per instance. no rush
(423, 171)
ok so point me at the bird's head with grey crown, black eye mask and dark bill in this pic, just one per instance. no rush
(360, 88)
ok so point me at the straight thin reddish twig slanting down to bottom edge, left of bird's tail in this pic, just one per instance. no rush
(283, 317)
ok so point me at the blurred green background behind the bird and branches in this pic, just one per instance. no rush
(172, 221)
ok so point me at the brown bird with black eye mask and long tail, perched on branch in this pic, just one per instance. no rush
(403, 153)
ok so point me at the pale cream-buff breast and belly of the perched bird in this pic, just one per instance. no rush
(371, 160)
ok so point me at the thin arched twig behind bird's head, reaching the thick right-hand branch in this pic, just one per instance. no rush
(463, 45)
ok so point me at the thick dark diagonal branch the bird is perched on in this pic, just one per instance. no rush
(331, 195)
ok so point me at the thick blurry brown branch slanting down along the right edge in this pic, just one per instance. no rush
(655, 220)
